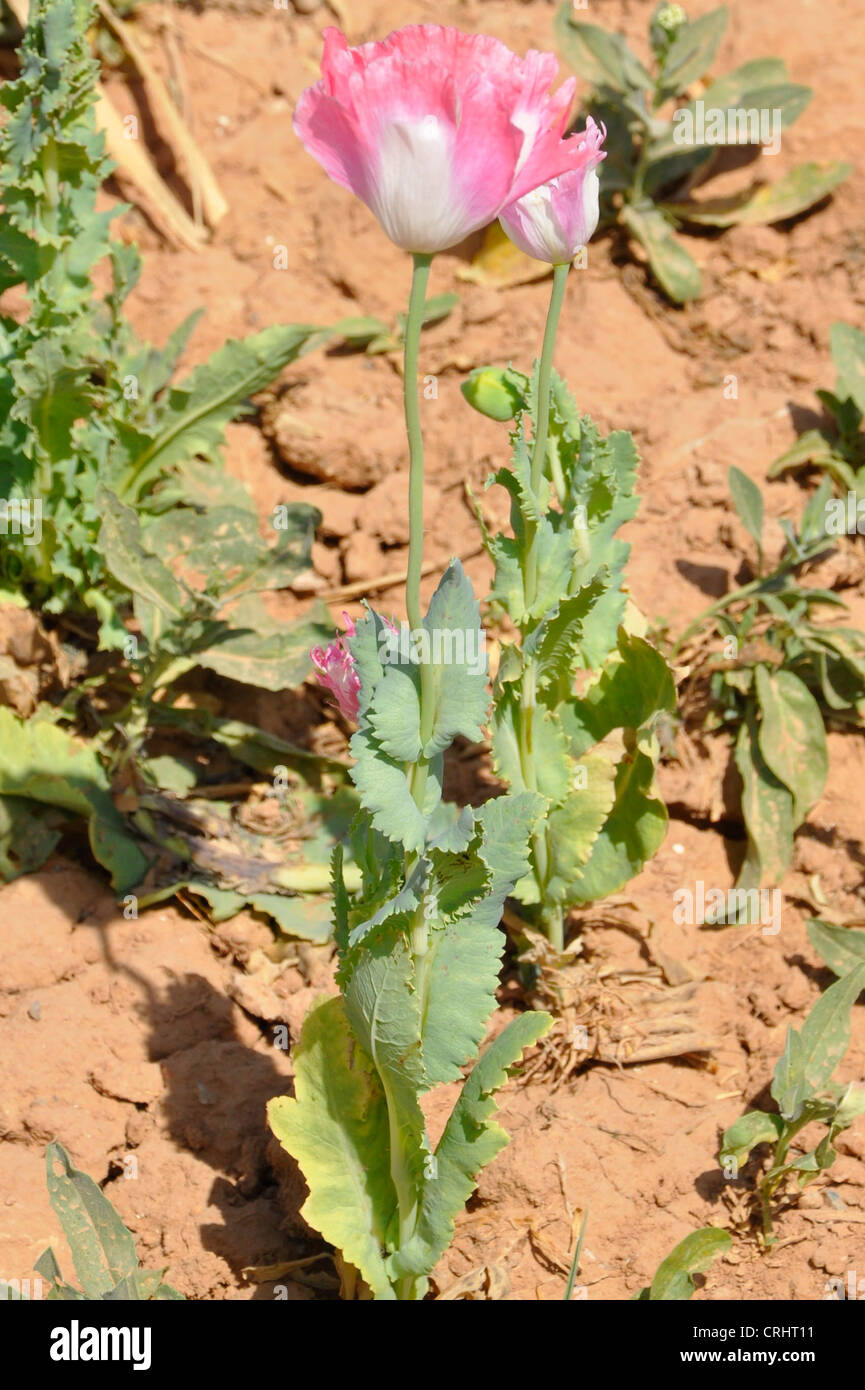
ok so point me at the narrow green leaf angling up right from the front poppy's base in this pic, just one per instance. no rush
(471, 1140)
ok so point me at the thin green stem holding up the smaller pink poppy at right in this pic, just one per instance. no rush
(554, 924)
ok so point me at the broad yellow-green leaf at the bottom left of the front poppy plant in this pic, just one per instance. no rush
(337, 1129)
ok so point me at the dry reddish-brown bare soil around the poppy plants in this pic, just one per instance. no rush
(154, 1039)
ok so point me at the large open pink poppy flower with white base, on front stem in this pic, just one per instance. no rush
(437, 130)
